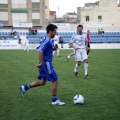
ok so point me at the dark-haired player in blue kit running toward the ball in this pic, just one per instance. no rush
(46, 70)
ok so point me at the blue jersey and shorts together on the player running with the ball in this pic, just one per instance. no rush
(47, 71)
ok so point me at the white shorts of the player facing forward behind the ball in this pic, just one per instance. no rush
(81, 54)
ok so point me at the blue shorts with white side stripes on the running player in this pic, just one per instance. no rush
(47, 72)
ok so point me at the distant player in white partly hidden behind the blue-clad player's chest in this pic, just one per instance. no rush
(56, 43)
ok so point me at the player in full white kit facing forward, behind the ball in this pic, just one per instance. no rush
(79, 43)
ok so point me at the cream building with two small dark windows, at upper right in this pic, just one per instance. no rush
(104, 13)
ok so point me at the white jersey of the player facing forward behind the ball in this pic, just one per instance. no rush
(79, 40)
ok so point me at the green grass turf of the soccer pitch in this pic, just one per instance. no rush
(101, 91)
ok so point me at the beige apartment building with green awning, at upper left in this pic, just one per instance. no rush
(27, 11)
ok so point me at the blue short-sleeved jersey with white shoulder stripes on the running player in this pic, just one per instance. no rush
(46, 47)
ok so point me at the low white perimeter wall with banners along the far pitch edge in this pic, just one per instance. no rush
(13, 44)
